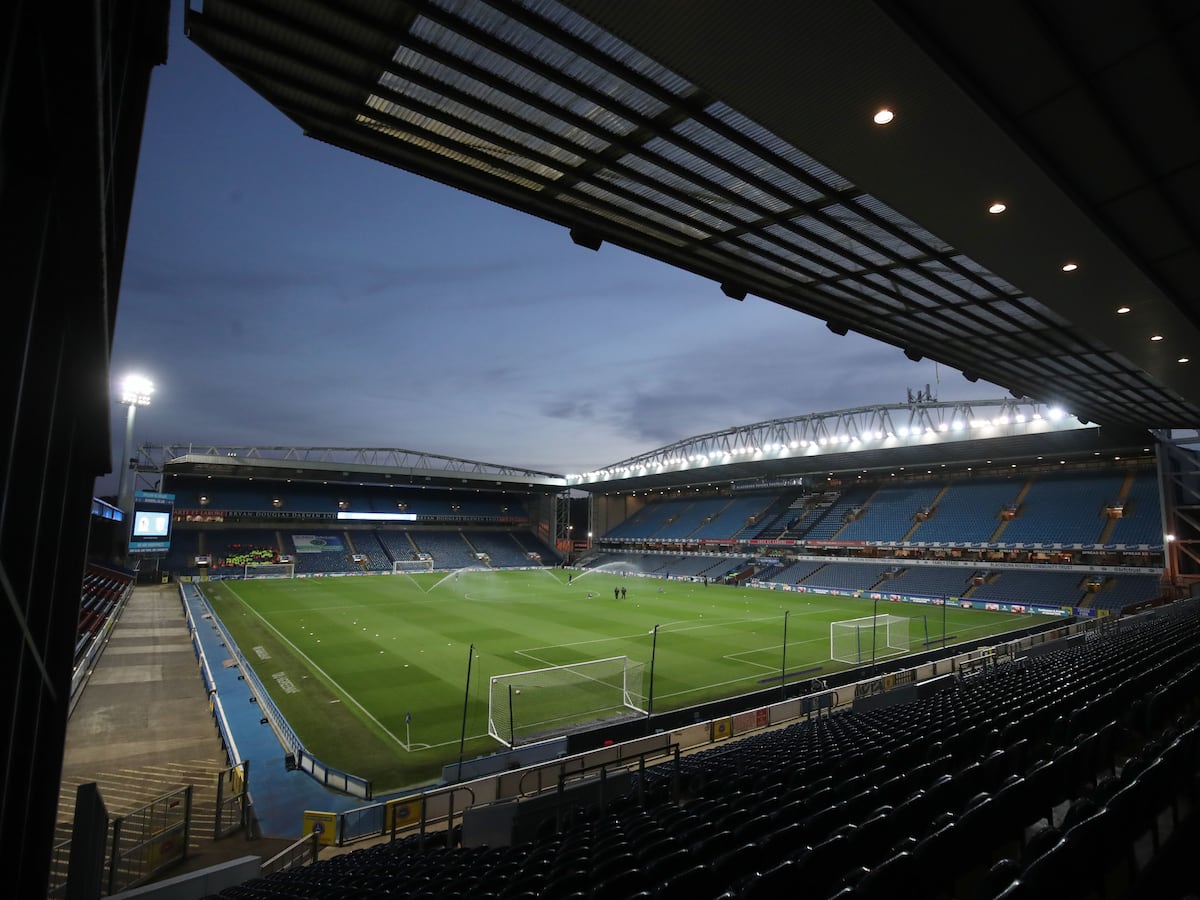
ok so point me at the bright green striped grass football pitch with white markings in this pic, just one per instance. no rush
(373, 673)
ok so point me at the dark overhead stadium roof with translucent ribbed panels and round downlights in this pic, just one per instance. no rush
(742, 147)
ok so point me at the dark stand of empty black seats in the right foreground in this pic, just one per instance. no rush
(1071, 773)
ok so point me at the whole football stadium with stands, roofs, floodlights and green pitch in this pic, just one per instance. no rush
(927, 647)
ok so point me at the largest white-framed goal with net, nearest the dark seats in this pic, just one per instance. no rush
(535, 705)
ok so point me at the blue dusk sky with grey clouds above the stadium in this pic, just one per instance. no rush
(283, 292)
